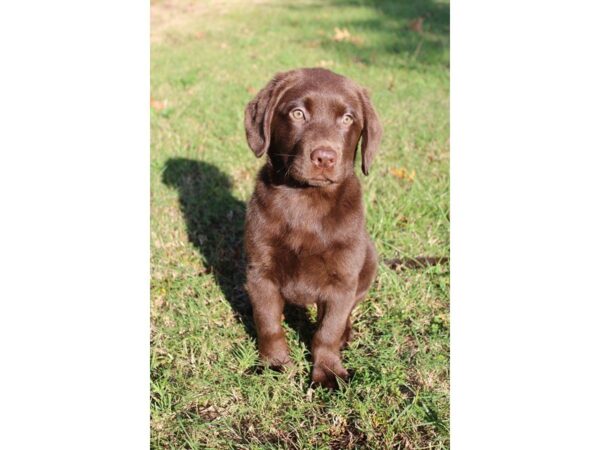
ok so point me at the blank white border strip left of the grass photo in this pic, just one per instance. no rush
(74, 232)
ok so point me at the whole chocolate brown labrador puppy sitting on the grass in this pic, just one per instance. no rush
(305, 232)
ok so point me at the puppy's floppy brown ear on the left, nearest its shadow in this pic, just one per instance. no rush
(259, 113)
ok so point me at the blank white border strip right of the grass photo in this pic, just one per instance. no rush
(525, 224)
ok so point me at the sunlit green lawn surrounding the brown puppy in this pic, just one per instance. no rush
(206, 391)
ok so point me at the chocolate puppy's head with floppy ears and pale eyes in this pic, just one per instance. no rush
(309, 122)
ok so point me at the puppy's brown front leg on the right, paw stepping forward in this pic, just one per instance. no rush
(334, 314)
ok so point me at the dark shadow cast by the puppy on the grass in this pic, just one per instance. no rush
(215, 226)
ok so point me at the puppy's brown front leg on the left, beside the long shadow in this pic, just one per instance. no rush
(267, 309)
